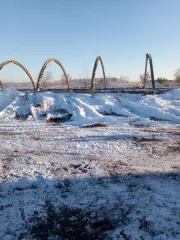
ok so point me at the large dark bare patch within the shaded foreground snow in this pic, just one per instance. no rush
(68, 223)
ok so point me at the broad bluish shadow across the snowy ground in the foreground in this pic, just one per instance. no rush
(141, 206)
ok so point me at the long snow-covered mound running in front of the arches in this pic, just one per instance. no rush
(108, 108)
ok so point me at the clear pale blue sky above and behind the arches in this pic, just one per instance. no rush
(75, 32)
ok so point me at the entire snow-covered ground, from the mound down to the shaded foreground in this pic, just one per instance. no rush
(61, 178)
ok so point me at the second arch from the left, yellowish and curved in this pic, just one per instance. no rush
(44, 67)
